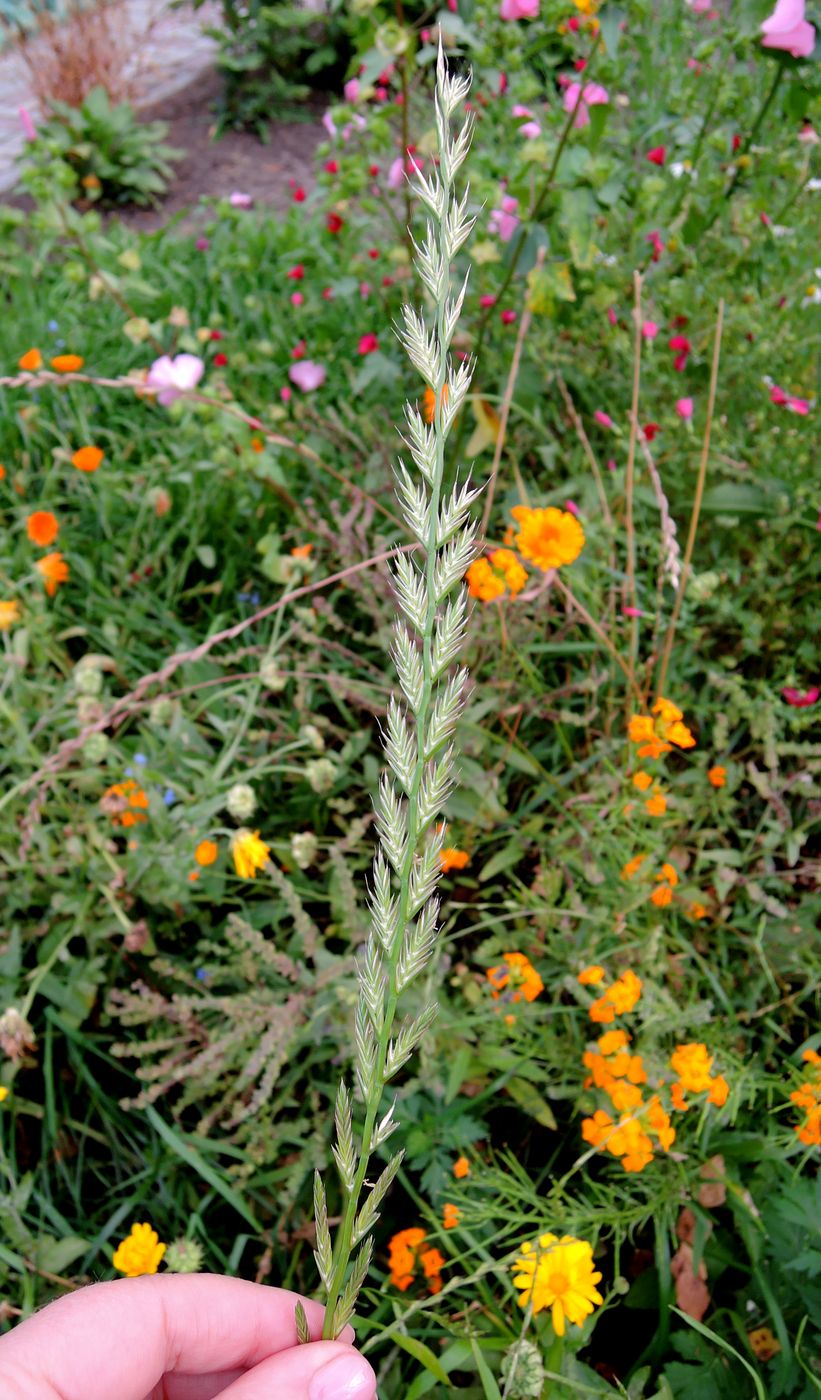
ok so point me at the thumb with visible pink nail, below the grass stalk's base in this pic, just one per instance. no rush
(316, 1371)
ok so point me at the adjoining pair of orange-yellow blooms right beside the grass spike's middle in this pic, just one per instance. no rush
(546, 538)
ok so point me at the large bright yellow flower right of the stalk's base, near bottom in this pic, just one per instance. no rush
(558, 1275)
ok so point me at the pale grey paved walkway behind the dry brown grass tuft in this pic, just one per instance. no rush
(167, 52)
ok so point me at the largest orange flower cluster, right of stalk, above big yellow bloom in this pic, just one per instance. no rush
(638, 1126)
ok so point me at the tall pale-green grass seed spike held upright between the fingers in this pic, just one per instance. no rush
(428, 639)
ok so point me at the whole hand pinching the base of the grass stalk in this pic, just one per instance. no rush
(179, 1338)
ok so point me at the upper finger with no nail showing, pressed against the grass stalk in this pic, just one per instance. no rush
(121, 1339)
